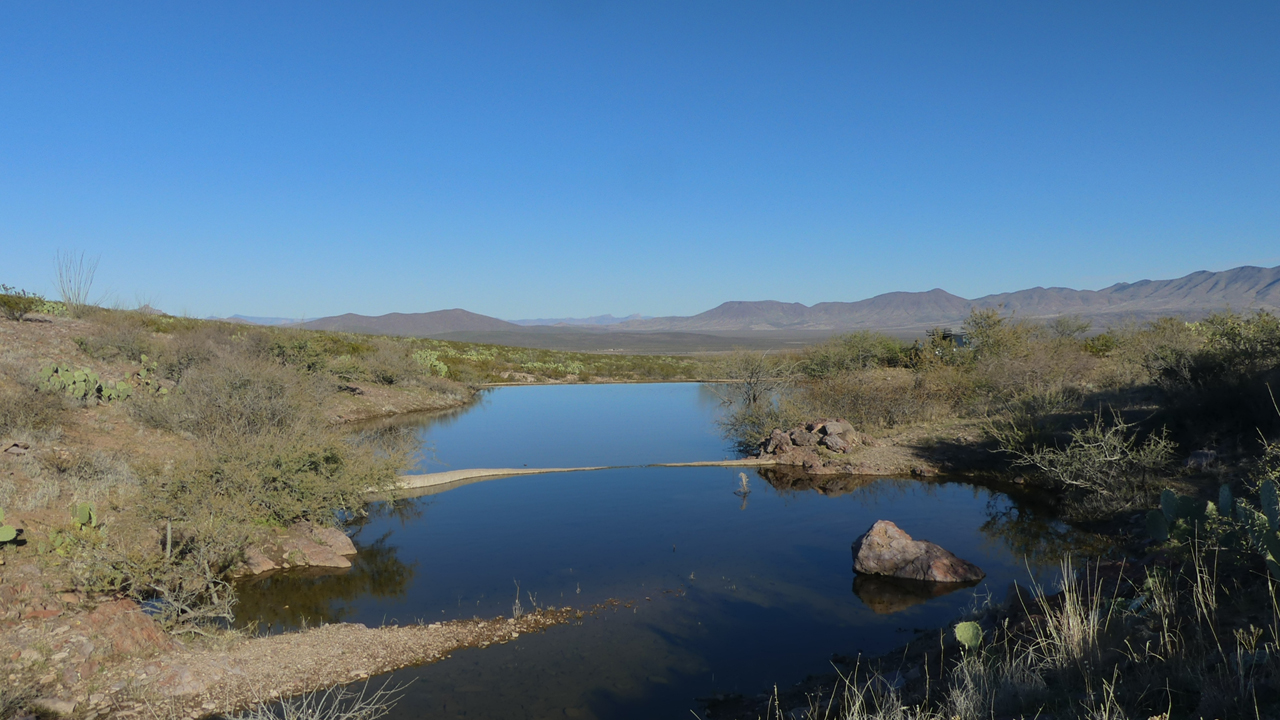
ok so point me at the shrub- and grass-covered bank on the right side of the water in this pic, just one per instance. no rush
(1100, 426)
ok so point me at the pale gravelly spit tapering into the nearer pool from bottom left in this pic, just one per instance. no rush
(116, 662)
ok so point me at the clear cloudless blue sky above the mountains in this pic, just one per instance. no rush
(573, 158)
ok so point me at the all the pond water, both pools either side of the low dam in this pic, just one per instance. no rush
(733, 594)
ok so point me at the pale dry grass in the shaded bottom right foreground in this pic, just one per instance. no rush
(1174, 642)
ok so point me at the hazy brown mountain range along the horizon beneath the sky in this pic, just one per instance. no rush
(1195, 295)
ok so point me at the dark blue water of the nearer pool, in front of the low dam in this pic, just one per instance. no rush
(769, 590)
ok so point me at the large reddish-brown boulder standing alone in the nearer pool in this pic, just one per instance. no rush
(886, 550)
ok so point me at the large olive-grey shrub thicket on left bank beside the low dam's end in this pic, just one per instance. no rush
(266, 452)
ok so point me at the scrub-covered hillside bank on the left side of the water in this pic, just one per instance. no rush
(228, 431)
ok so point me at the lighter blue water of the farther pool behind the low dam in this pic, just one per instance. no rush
(577, 426)
